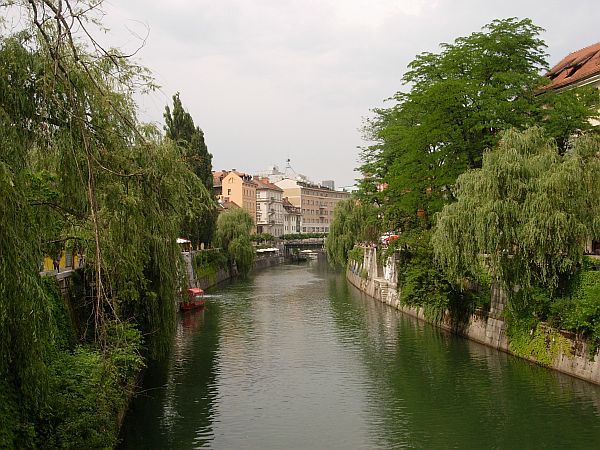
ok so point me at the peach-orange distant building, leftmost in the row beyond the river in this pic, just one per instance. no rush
(236, 187)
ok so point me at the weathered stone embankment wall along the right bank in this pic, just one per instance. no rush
(489, 328)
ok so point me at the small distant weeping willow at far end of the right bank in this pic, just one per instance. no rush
(352, 222)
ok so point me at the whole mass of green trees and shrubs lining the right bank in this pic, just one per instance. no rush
(474, 122)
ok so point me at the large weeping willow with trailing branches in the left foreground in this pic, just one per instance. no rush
(77, 169)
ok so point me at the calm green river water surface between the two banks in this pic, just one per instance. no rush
(296, 358)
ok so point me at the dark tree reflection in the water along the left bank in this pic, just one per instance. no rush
(179, 389)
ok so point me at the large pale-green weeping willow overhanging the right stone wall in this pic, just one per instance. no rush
(525, 215)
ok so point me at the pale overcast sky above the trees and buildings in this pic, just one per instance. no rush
(272, 79)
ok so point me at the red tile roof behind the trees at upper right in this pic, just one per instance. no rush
(576, 67)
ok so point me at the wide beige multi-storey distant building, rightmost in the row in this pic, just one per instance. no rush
(316, 203)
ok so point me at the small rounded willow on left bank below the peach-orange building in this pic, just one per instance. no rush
(233, 236)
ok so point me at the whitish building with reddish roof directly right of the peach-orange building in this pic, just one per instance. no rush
(269, 207)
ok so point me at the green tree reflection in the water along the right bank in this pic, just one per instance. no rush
(434, 389)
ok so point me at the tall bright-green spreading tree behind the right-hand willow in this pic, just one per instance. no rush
(458, 103)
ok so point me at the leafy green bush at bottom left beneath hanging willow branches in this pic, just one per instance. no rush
(90, 390)
